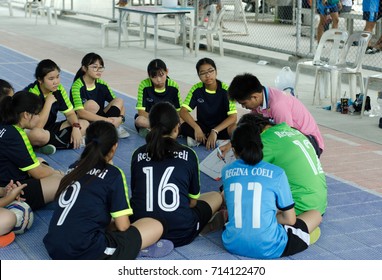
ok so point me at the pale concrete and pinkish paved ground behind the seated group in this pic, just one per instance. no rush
(348, 138)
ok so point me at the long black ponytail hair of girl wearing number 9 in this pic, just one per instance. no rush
(101, 136)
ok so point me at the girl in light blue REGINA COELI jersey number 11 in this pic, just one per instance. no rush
(262, 221)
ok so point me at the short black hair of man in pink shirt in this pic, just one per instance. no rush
(243, 86)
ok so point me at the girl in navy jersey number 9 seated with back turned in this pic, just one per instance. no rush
(91, 220)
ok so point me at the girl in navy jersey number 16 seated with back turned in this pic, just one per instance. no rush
(165, 181)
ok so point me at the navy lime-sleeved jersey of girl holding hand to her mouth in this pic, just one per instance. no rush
(62, 104)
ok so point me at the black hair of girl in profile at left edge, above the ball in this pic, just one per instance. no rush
(12, 106)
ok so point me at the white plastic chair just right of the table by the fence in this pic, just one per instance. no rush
(213, 28)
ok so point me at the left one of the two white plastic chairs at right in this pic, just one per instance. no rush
(331, 44)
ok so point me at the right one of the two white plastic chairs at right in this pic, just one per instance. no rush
(348, 64)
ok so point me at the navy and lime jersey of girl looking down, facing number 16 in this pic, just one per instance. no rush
(148, 96)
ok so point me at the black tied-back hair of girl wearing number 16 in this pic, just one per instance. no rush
(163, 118)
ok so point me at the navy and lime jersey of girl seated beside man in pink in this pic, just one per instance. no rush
(212, 107)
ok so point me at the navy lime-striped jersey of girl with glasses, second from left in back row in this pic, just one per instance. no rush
(100, 93)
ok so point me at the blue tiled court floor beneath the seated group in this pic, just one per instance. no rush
(351, 227)
